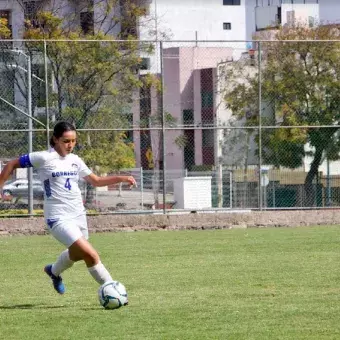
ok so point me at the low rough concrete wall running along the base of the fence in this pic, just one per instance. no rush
(129, 223)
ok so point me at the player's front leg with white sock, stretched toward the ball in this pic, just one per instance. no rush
(83, 250)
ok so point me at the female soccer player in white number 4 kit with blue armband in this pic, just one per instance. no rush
(60, 170)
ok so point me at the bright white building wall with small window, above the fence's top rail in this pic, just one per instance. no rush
(196, 20)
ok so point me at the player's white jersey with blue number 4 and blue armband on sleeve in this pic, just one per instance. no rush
(60, 176)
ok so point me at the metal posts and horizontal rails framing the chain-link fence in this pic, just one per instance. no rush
(163, 129)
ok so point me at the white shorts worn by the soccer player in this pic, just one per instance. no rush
(69, 231)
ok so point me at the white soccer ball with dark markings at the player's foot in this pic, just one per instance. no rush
(112, 295)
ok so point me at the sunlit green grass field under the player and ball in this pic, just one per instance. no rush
(224, 284)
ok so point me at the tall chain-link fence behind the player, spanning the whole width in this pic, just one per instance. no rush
(201, 125)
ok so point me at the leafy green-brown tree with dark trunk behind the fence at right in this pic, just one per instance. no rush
(300, 81)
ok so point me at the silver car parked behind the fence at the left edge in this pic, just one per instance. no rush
(19, 188)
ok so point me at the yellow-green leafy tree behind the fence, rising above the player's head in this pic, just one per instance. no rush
(94, 81)
